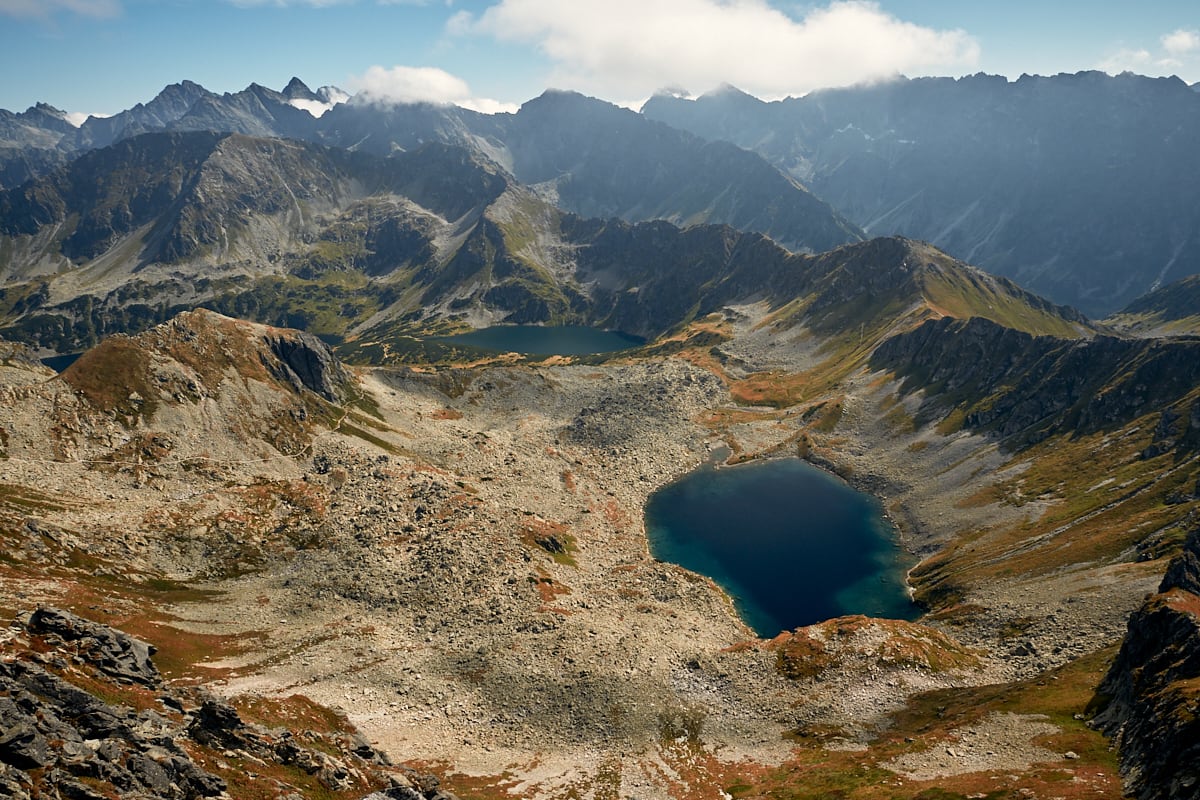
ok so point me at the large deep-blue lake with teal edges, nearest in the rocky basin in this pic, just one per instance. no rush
(791, 545)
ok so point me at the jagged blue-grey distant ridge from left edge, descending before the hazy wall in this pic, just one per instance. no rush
(554, 141)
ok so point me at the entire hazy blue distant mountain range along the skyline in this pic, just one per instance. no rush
(1041, 181)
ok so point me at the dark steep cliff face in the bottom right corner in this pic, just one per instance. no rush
(1153, 690)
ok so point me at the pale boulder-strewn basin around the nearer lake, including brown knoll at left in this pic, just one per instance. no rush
(455, 561)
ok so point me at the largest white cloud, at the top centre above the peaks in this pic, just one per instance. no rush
(633, 47)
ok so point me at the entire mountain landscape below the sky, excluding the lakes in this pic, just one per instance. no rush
(271, 464)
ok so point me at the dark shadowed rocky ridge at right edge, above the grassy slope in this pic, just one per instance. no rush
(1048, 386)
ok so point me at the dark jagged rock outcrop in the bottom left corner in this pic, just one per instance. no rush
(58, 739)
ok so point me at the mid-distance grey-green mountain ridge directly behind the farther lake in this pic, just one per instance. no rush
(353, 245)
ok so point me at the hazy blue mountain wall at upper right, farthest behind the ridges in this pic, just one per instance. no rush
(1082, 188)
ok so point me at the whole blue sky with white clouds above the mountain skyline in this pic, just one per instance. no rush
(105, 56)
